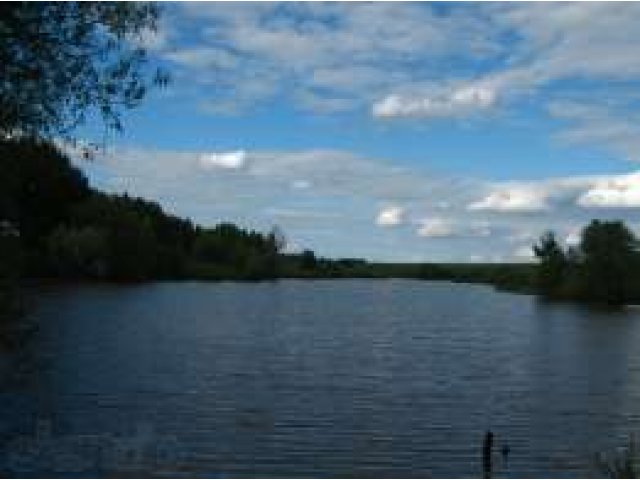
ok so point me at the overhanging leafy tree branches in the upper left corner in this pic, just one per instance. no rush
(64, 60)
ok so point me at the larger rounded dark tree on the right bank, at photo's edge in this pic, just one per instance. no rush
(609, 252)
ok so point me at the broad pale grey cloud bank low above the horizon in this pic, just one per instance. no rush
(333, 215)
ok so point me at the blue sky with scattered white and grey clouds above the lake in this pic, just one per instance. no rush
(390, 131)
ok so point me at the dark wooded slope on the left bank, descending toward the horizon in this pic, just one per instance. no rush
(55, 225)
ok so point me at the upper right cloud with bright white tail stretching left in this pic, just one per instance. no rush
(595, 43)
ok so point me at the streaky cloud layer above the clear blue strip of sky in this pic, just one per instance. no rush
(426, 63)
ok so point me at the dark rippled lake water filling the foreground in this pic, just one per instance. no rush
(325, 378)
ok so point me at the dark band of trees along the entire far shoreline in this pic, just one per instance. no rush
(54, 225)
